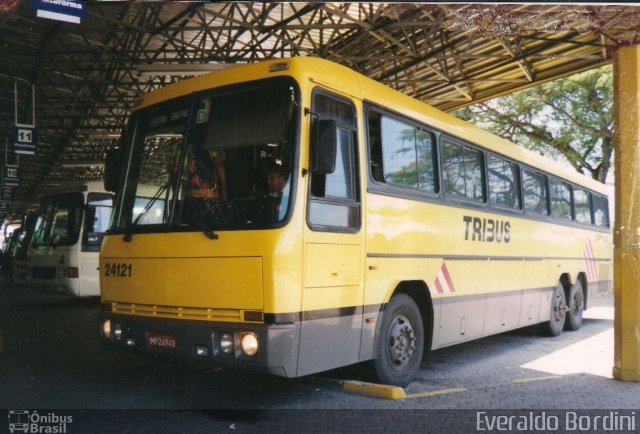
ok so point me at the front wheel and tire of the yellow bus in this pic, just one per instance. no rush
(400, 342)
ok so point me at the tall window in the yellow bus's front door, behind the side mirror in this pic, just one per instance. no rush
(334, 197)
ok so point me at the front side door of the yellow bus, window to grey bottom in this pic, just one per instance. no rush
(334, 245)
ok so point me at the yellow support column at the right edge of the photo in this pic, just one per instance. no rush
(626, 235)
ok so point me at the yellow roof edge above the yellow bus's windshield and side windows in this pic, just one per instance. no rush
(345, 80)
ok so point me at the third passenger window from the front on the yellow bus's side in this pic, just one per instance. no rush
(504, 183)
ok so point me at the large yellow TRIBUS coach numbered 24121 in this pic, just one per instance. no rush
(293, 216)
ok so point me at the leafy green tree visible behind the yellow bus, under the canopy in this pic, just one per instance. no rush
(569, 119)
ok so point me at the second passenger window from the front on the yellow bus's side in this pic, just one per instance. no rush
(462, 172)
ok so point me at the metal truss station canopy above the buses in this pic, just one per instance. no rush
(87, 76)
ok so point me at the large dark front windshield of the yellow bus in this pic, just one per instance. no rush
(217, 160)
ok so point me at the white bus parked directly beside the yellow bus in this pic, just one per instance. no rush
(66, 242)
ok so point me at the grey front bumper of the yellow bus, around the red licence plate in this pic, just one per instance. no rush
(188, 338)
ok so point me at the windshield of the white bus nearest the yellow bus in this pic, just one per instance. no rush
(60, 222)
